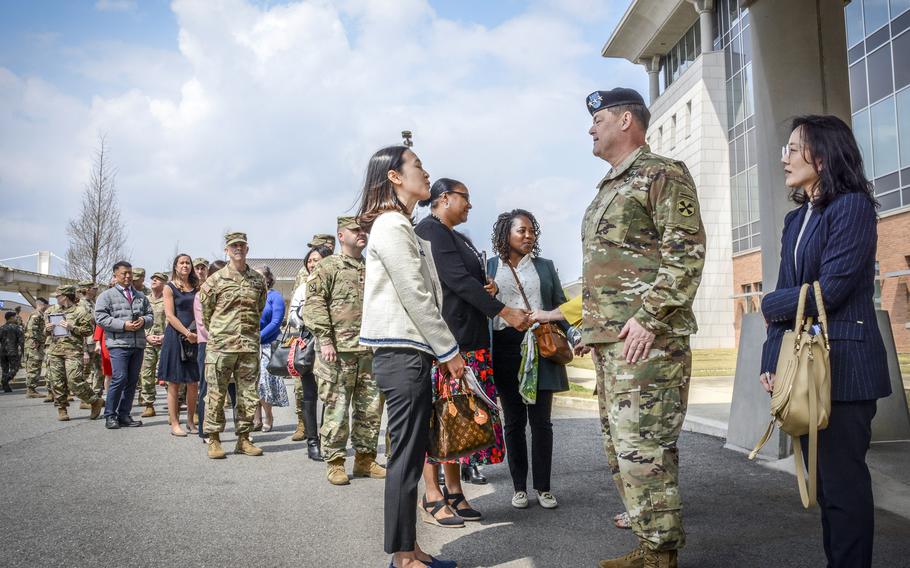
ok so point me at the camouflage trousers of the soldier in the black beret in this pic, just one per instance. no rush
(642, 408)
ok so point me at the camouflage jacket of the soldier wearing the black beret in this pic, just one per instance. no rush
(644, 249)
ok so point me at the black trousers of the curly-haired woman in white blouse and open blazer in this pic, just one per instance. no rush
(517, 415)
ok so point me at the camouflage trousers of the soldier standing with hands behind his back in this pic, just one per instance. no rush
(220, 369)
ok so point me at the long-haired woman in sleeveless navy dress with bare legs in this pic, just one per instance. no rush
(177, 363)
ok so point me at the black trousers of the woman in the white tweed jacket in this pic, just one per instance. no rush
(403, 376)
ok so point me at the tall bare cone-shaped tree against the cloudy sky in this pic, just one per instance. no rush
(97, 236)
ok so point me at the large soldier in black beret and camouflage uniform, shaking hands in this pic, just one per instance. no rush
(644, 248)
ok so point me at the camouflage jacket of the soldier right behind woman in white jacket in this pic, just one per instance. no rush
(334, 302)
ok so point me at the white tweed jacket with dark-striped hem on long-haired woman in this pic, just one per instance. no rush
(402, 297)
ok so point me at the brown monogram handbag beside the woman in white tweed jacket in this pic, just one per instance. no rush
(459, 424)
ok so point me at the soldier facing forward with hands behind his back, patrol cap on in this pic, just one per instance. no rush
(232, 300)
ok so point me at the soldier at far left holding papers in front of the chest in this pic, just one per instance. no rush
(66, 371)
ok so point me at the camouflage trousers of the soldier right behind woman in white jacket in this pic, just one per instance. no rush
(345, 386)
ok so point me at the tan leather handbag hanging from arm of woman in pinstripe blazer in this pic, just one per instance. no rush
(801, 394)
